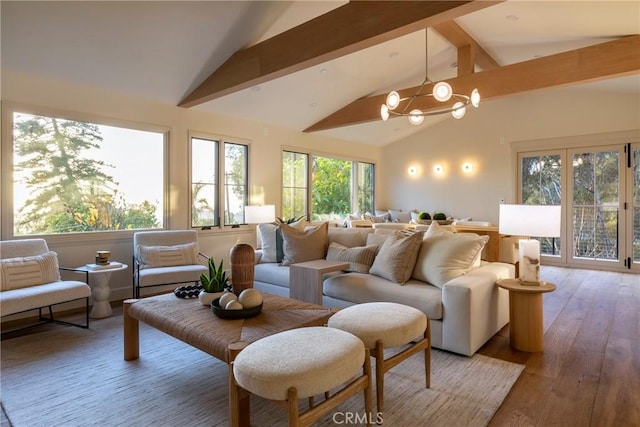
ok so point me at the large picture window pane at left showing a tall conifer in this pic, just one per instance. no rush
(72, 176)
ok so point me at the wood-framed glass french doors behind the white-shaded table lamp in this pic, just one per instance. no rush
(598, 188)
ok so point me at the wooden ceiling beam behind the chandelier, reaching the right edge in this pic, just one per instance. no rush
(608, 60)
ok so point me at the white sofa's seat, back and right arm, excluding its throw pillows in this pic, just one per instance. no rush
(464, 312)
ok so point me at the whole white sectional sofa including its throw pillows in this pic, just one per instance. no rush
(437, 271)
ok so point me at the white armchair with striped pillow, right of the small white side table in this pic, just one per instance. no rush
(166, 257)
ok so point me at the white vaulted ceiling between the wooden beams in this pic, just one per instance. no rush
(163, 50)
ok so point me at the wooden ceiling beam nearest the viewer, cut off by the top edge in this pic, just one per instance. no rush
(344, 30)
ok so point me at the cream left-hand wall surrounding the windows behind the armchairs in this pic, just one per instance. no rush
(264, 168)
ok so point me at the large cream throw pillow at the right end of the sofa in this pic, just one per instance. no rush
(443, 257)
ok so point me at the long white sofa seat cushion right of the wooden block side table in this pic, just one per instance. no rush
(362, 288)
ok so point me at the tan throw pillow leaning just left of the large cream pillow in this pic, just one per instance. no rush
(397, 256)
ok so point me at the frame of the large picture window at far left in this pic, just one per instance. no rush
(7, 145)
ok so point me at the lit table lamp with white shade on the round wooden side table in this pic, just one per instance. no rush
(529, 220)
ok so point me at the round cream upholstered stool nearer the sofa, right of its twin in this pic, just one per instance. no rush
(383, 325)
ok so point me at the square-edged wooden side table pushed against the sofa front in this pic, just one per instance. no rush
(305, 279)
